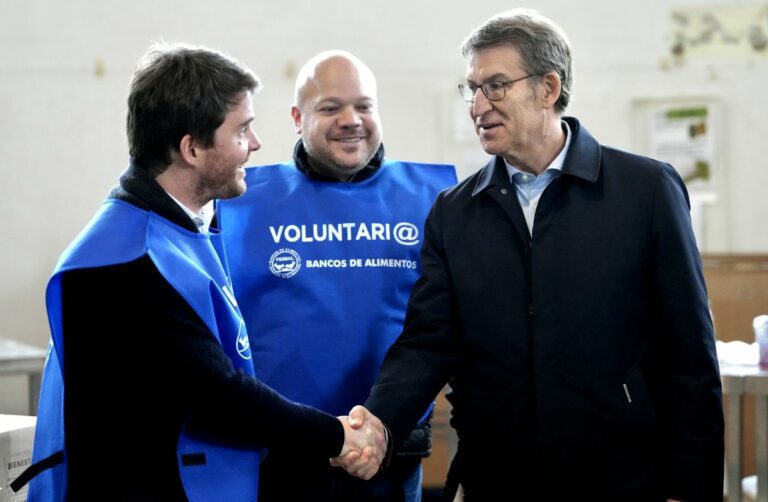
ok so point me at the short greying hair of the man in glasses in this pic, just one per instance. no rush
(543, 46)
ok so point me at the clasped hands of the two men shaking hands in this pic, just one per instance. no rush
(365, 443)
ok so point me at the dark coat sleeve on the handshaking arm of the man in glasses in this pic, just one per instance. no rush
(423, 358)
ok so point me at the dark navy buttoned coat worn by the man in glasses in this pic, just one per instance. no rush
(581, 357)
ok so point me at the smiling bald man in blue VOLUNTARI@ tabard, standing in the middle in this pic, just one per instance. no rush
(324, 251)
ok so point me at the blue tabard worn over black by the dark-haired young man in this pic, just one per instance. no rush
(194, 264)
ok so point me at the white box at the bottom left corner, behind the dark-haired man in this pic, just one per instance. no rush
(17, 433)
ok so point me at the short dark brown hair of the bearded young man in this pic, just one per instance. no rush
(178, 90)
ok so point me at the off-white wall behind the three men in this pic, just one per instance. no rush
(65, 69)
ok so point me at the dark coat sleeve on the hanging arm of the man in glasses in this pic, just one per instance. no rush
(686, 350)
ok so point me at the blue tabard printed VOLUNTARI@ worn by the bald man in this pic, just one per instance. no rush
(323, 271)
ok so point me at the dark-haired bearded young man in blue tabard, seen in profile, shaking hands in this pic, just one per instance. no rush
(148, 392)
